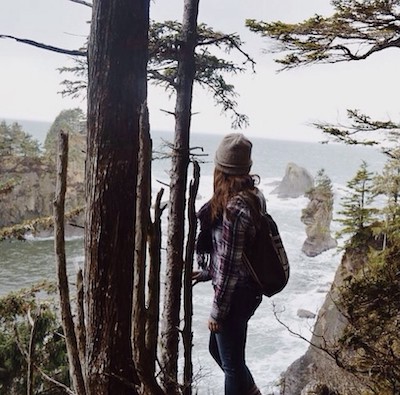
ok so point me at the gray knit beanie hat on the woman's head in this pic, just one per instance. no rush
(233, 155)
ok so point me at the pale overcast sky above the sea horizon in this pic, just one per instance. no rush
(279, 105)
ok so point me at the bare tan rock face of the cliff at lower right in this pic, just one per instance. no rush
(316, 372)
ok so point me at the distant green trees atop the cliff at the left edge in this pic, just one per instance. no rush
(15, 142)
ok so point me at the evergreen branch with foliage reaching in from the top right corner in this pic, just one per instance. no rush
(356, 30)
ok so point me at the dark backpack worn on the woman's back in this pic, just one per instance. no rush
(267, 261)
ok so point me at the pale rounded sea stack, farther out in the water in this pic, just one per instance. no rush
(296, 182)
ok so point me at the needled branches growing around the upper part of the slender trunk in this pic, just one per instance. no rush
(211, 70)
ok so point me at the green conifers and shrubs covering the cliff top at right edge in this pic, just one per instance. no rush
(369, 298)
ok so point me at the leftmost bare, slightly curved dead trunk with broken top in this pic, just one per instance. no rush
(59, 241)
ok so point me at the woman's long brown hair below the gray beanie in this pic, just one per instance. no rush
(227, 186)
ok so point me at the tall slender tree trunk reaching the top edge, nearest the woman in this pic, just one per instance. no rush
(180, 161)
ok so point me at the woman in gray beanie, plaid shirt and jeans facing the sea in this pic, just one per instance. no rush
(227, 224)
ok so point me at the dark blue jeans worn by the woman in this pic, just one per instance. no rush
(227, 347)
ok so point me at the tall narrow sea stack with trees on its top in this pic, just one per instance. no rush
(317, 217)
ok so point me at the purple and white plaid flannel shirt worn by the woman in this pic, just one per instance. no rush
(227, 269)
